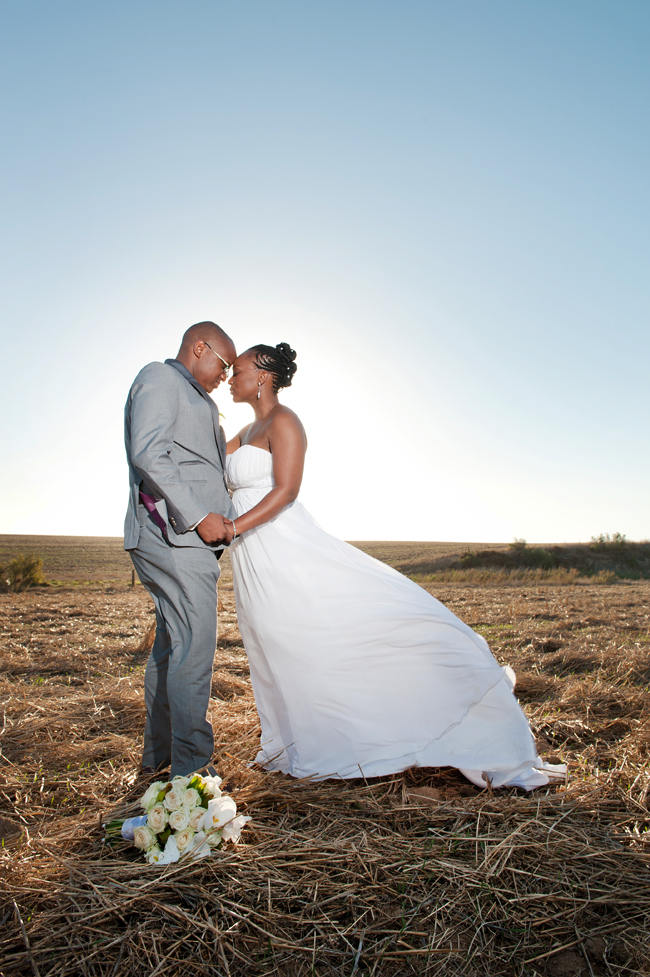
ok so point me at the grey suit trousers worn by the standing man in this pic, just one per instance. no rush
(183, 583)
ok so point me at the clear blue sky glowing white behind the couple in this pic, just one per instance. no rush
(444, 207)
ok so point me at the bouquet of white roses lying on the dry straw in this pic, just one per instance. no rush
(187, 816)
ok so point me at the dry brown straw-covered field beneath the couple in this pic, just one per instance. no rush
(418, 873)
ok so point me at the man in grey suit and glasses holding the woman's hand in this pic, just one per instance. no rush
(175, 533)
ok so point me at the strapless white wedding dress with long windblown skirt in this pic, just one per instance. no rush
(358, 671)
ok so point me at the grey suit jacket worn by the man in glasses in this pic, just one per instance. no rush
(176, 452)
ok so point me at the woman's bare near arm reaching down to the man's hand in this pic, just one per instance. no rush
(288, 444)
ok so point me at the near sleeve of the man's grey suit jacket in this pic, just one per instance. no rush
(154, 401)
